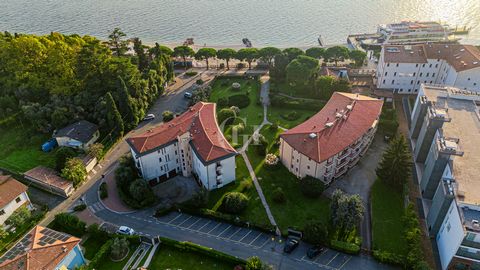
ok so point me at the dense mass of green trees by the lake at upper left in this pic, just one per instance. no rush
(53, 80)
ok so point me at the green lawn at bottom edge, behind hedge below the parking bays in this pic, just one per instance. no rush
(175, 259)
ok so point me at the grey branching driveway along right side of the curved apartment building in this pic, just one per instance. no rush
(359, 180)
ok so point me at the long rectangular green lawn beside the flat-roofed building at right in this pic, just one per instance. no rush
(387, 223)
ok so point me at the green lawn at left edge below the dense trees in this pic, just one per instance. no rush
(20, 149)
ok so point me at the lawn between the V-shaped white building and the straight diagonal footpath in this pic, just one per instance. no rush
(255, 212)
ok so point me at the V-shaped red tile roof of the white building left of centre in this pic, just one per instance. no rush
(200, 121)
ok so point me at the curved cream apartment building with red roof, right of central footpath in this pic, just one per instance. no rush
(333, 140)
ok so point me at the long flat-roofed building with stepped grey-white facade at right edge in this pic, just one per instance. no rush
(444, 134)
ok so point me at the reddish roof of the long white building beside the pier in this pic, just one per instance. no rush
(460, 57)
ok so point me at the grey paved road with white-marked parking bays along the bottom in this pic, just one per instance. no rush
(237, 241)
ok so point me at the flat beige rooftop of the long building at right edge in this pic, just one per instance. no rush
(463, 109)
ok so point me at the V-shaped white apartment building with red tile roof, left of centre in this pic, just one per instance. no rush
(190, 144)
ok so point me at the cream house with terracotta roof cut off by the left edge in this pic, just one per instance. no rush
(13, 195)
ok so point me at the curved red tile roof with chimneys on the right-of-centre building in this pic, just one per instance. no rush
(328, 141)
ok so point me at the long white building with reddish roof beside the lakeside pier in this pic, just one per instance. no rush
(404, 68)
